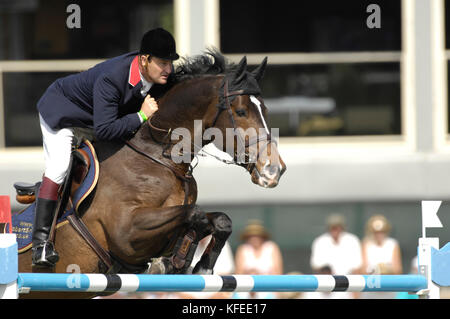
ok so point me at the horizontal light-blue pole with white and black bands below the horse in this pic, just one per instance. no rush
(130, 282)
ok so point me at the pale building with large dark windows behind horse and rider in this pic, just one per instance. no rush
(362, 112)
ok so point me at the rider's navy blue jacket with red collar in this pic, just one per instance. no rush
(105, 98)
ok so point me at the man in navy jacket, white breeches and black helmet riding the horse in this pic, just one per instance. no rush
(111, 100)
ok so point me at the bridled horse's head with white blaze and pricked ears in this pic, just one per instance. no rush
(241, 117)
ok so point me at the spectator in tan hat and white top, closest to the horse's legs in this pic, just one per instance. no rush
(258, 255)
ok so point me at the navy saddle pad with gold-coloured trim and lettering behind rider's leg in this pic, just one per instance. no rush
(22, 222)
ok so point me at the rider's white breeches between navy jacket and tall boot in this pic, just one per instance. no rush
(57, 150)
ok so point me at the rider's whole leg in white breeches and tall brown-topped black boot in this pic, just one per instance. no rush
(57, 150)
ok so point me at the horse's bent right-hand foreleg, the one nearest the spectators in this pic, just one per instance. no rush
(222, 230)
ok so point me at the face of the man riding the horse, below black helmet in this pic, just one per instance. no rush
(155, 70)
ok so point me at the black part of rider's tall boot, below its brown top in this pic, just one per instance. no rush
(44, 253)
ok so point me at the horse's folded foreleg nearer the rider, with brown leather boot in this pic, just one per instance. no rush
(197, 227)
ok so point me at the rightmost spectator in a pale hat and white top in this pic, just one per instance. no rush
(381, 253)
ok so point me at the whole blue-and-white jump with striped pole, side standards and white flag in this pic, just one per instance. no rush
(12, 283)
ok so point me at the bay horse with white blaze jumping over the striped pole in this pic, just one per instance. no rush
(143, 208)
